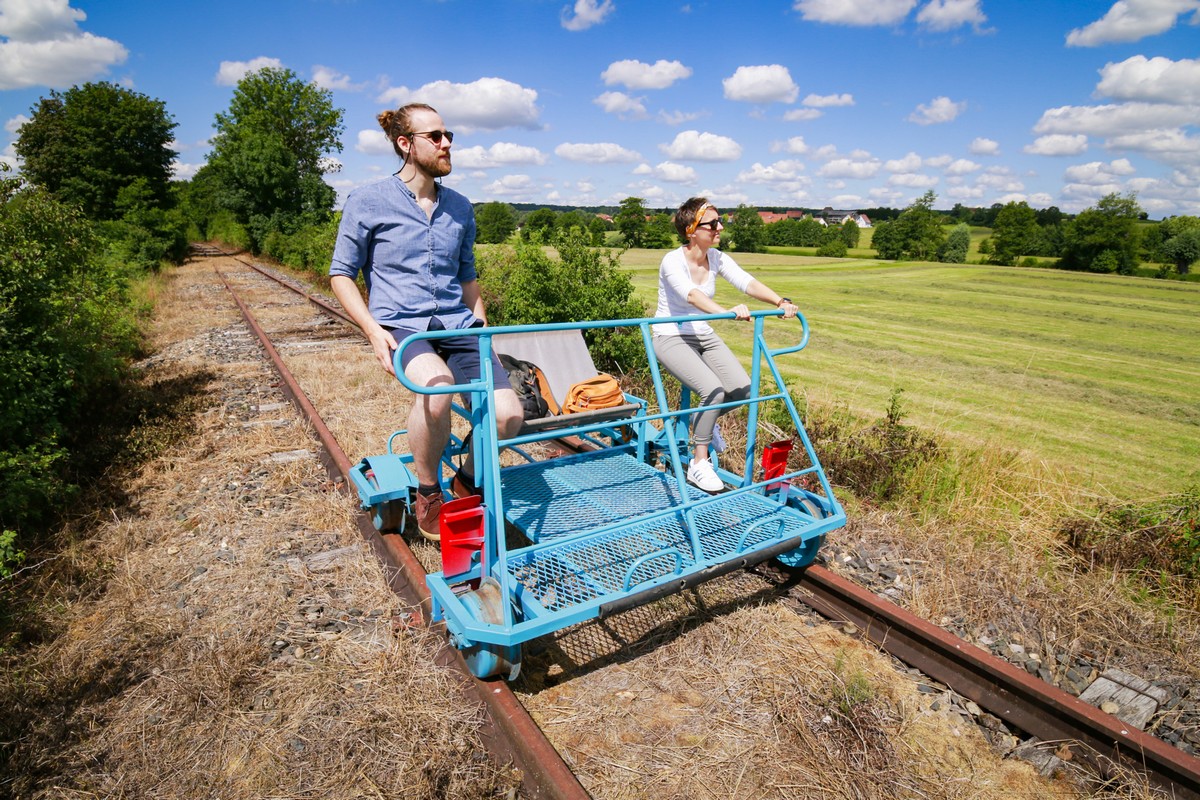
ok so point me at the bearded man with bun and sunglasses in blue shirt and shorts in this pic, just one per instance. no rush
(413, 242)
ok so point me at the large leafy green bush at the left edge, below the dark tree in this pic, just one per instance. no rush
(67, 333)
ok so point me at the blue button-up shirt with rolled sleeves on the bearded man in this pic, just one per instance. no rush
(413, 266)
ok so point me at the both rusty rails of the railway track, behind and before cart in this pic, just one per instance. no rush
(1025, 703)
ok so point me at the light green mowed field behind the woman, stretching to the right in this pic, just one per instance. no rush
(1097, 377)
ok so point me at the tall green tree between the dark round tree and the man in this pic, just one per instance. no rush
(271, 152)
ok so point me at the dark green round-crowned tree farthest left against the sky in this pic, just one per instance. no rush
(87, 145)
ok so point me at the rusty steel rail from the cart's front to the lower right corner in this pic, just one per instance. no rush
(1006, 691)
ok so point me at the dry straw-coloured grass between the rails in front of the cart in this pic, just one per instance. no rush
(759, 705)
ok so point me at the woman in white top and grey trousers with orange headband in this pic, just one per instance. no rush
(692, 352)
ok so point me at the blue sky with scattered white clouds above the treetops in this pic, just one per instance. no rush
(849, 104)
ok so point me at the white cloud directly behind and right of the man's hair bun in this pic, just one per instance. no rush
(484, 105)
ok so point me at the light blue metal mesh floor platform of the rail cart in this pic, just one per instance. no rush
(560, 502)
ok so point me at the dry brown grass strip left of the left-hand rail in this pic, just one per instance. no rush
(235, 637)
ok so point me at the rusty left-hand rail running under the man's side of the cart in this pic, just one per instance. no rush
(509, 733)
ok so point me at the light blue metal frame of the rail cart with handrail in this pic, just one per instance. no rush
(609, 530)
